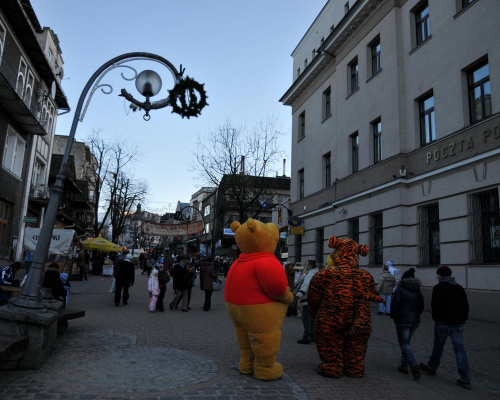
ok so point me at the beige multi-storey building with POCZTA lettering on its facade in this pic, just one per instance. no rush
(396, 139)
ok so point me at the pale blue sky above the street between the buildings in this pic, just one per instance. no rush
(241, 51)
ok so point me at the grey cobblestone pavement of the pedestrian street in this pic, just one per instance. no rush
(128, 353)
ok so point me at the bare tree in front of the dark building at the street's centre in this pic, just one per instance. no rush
(239, 163)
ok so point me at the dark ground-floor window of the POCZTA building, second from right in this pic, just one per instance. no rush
(429, 245)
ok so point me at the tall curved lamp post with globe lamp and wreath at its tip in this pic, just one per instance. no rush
(187, 98)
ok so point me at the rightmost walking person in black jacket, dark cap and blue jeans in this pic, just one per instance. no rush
(450, 310)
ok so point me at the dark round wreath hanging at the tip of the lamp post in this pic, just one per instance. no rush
(188, 98)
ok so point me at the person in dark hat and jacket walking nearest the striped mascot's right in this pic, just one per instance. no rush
(407, 305)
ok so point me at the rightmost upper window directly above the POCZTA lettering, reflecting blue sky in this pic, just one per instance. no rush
(479, 92)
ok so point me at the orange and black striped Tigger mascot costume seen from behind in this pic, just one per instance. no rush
(338, 297)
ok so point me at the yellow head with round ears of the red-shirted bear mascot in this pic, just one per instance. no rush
(255, 236)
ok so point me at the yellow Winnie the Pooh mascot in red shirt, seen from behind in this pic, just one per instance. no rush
(257, 297)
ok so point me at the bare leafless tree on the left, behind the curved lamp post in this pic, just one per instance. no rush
(116, 192)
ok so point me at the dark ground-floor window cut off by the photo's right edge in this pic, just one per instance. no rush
(484, 225)
